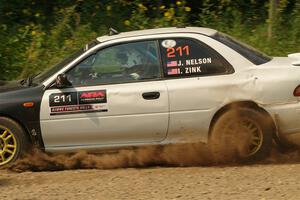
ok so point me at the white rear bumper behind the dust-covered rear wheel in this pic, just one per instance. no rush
(287, 119)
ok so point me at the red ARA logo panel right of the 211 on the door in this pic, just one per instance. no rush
(91, 97)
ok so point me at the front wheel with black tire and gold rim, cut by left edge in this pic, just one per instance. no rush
(12, 134)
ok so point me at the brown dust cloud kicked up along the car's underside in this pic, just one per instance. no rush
(179, 155)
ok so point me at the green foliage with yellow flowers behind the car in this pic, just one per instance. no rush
(36, 34)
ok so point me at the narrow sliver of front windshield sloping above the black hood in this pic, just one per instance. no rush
(52, 70)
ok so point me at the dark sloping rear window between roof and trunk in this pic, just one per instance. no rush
(250, 53)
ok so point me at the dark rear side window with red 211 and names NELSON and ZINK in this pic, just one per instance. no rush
(184, 57)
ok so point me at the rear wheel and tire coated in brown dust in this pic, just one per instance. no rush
(244, 134)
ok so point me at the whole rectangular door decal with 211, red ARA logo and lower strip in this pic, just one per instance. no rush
(78, 102)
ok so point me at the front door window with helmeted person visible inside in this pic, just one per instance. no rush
(129, 62)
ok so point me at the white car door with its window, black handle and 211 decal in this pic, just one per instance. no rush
(117, 97)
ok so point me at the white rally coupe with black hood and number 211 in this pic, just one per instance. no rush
(151, 87)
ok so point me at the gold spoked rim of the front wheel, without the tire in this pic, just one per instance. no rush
(8, 146)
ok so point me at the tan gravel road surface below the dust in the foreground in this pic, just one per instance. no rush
(269, 181)
